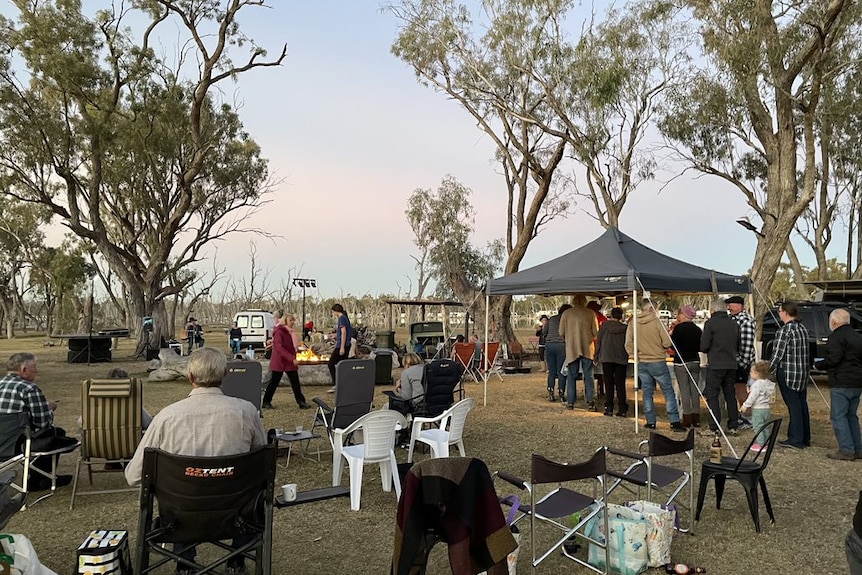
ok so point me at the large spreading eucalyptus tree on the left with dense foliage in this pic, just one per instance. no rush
(132, 151)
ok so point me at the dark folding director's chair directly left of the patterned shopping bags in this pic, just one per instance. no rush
(555, 507)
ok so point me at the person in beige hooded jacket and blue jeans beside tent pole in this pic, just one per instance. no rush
(653, 343)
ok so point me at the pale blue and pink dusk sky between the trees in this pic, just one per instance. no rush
(350, 133)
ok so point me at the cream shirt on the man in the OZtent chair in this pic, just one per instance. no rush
(204, 424)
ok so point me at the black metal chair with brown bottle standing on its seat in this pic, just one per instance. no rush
(748, 471)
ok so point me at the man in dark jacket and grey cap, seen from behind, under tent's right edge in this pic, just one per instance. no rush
(720, 342)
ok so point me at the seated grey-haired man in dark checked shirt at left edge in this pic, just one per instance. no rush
(19, 394)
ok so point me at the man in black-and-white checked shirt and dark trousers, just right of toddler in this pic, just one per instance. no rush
(790, 364)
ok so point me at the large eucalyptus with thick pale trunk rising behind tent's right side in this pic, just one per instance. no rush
(749, 116)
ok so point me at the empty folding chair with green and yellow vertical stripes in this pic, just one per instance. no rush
(111, 411)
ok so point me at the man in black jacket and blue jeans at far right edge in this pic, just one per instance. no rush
(843, 361)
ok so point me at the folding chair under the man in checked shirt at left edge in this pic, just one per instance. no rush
(15, 431)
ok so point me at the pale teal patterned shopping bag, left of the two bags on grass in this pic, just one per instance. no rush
(627, 542)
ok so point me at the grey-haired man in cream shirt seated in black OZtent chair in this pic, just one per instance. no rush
(205, 424)
